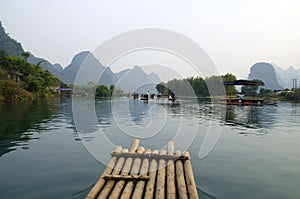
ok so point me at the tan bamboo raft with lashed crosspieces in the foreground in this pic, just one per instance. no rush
(142, 173)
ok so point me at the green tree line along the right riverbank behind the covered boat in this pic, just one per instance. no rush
(197, 86)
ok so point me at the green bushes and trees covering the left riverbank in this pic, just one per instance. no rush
(20, 80)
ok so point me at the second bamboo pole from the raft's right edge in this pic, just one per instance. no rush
(181, 186)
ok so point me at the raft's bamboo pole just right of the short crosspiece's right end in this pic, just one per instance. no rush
(152, 176)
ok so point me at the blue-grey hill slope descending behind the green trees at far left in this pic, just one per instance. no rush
(14, 48)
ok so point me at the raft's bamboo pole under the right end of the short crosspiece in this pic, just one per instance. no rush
(139, 188)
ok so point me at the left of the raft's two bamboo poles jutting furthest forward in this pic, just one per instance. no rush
(116, 192)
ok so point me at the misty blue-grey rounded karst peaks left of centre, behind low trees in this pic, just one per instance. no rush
(129, 80)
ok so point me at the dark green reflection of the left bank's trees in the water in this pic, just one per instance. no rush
(22, 122)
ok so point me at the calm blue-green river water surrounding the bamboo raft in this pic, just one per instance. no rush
(58, 148)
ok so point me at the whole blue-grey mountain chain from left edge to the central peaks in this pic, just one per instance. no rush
(132, 78)
